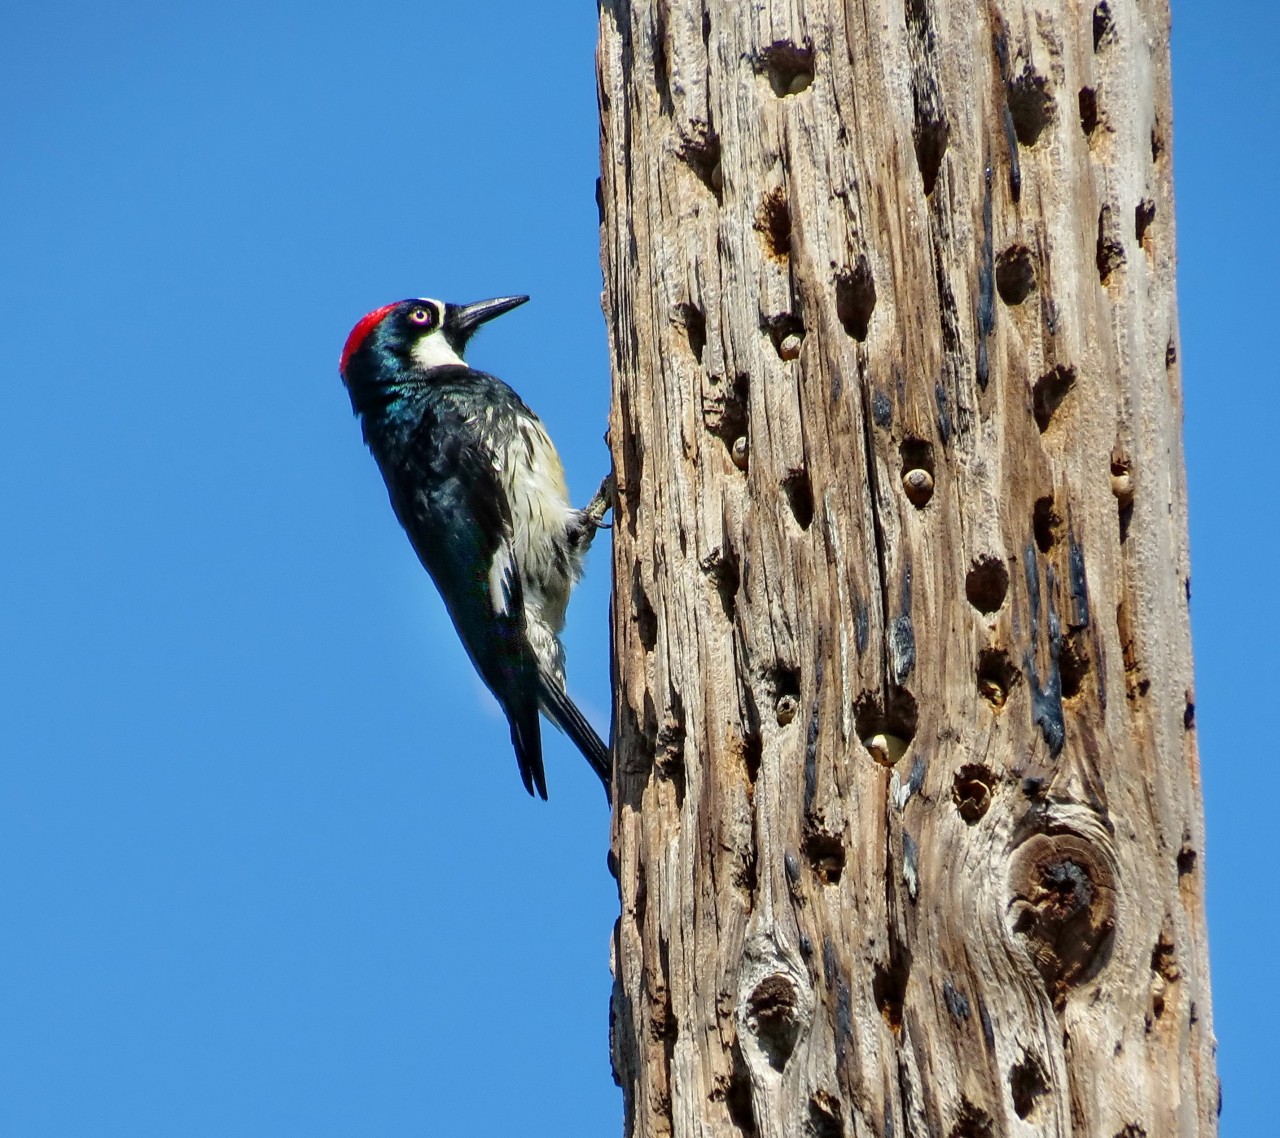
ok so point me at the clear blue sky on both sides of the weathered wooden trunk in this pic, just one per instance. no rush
(266, 863)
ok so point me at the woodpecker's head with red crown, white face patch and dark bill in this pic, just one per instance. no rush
(399, 342)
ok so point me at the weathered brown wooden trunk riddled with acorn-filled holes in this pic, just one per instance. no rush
(908, 817)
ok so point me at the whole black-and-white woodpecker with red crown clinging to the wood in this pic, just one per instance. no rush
(477, 485)
